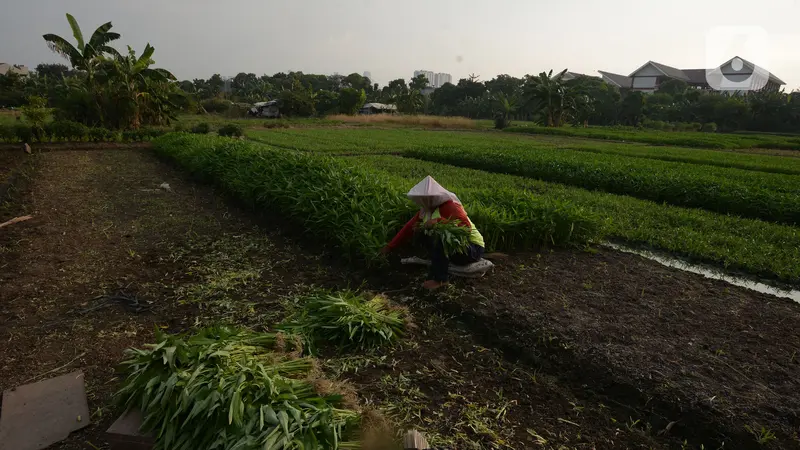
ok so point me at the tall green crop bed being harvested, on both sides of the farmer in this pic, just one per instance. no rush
(354, 209)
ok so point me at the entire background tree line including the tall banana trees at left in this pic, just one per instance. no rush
(102, 87)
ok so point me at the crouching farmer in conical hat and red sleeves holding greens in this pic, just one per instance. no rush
(436, 204)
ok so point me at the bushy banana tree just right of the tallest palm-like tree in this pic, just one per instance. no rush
(137, 86)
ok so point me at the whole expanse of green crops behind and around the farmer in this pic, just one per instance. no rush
(514, 212)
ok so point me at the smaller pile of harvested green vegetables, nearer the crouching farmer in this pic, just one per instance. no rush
(352, 320)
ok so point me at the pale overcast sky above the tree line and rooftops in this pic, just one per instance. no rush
(391, 39)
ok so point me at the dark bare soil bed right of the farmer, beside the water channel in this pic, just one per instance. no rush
(676, 347)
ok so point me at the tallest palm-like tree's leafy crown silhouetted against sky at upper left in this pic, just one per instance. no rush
(86, 56)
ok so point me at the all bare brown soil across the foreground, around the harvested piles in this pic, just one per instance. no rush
(574, 349)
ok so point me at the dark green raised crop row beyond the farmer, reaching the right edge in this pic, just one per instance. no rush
(773, 197)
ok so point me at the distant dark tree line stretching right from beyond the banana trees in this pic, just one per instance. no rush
(547, 98)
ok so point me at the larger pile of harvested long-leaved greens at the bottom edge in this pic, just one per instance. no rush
(223, 389)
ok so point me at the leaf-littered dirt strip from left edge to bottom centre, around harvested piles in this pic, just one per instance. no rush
(111, 255)
